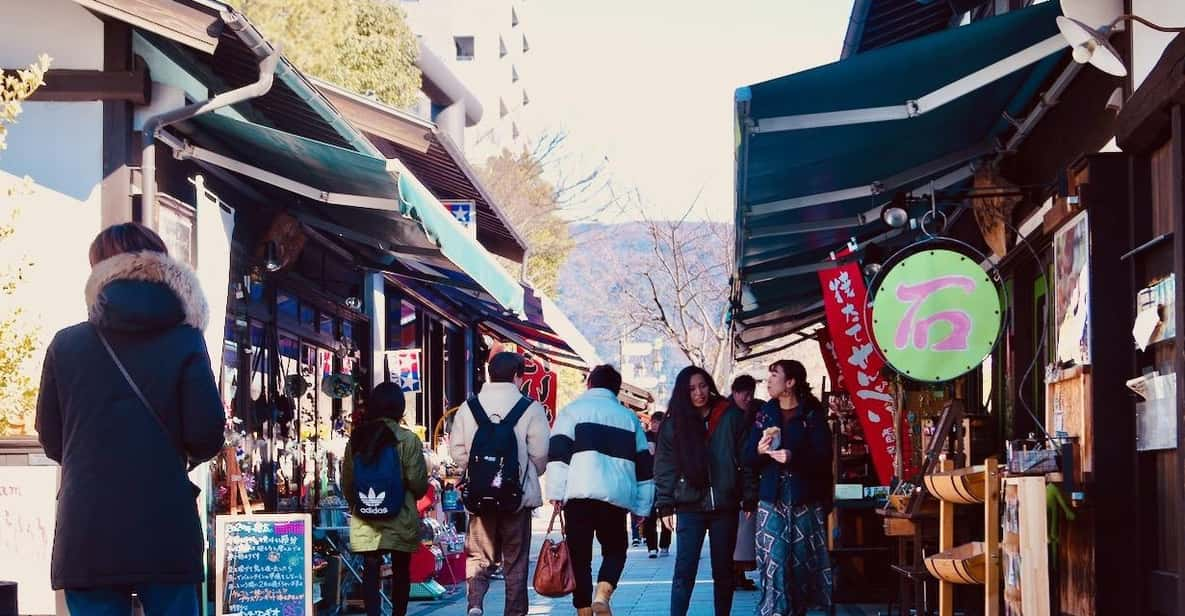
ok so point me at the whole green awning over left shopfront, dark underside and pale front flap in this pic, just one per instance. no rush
(341, 177)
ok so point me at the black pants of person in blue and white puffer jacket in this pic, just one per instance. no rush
(586, 519)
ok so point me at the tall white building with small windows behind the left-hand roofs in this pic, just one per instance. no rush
(486, 46)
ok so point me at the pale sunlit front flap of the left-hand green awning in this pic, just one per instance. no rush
(457, 245)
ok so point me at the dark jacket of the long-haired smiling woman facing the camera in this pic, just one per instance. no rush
(731, 485)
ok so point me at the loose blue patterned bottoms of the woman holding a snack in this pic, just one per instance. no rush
(792, 557)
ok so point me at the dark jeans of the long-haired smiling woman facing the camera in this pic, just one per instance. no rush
(691, 529)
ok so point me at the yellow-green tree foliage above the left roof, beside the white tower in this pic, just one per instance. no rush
(361, 46)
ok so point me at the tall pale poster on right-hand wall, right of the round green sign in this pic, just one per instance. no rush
(1072, 291)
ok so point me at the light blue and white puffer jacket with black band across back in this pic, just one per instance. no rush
(599, 452)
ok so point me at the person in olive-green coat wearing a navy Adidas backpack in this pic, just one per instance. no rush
(383, 476)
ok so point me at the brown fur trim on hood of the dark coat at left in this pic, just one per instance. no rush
(153, 268)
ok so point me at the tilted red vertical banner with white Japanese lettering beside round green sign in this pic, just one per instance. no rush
(844, 299)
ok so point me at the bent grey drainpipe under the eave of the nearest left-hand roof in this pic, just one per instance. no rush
(270, 57)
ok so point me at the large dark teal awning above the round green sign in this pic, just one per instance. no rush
(821, 152)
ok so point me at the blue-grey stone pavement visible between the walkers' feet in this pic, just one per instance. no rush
(645, 591)
